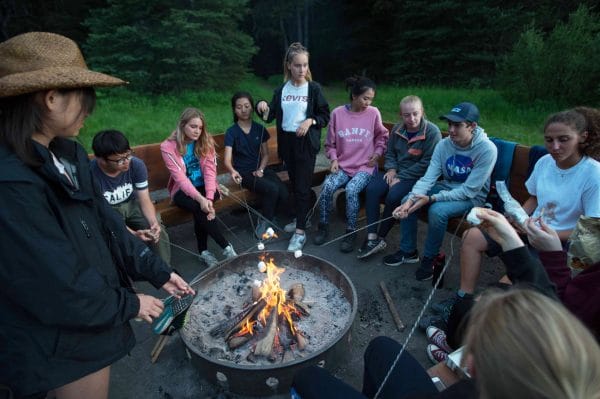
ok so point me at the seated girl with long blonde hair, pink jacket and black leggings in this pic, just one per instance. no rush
(189, 154)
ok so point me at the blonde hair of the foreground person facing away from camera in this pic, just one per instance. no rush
(526, 345)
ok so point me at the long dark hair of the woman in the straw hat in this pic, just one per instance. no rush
(22, 116)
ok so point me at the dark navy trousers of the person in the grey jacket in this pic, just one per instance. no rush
(375, 191)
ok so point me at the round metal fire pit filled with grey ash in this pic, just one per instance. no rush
(225, 297)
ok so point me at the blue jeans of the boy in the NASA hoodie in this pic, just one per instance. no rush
(438, 215)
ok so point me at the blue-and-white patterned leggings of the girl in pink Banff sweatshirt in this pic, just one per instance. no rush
(353, 186)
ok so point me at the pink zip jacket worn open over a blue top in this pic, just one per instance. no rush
(179, 180)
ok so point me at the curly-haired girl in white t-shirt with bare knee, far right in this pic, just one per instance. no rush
(564, 185)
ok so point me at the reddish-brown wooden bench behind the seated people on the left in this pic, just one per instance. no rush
(158, 176)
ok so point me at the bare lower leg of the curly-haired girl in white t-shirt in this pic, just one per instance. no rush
(473, 246)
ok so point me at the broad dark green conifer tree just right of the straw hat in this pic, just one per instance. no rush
(162, 45)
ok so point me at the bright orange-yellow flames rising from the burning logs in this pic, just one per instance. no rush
(275, 297)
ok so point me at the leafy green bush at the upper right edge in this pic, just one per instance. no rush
(563, 66)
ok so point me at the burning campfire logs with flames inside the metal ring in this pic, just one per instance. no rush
(267, 323)
